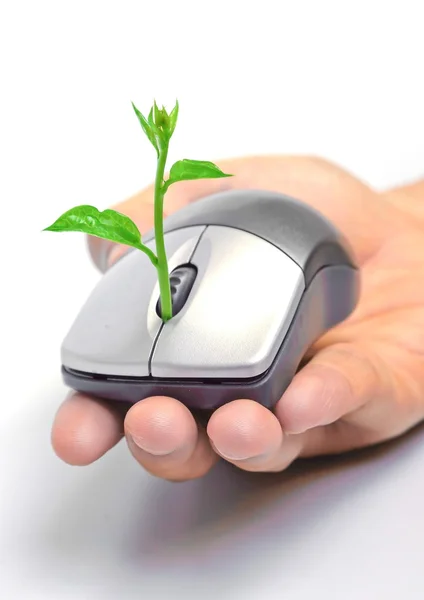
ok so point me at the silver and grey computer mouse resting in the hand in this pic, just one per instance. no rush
(256, 278)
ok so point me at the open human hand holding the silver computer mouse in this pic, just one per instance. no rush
(361, 384)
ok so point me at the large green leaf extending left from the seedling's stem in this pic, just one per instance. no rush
(109, 225)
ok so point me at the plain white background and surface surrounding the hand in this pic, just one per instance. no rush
(340, 79)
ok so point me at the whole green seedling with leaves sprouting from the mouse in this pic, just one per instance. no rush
(116, 227)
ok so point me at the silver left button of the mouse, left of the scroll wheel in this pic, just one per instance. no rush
(115, 330)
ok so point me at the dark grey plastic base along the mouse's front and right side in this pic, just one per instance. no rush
(317, 312)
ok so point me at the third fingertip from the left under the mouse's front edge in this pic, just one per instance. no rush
(249, 436)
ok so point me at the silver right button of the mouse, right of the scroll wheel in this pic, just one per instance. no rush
(243, 300)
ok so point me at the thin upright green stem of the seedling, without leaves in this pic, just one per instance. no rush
(162, 261)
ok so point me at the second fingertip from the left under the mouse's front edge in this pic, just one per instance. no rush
(164, 438)
